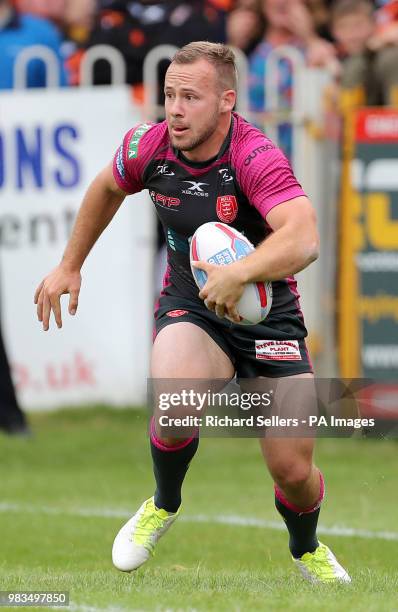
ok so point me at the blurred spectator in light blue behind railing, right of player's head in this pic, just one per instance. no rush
(288, 22)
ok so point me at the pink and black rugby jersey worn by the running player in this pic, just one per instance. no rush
(247, 178)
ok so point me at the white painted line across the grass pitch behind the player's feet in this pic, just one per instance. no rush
(220, 519)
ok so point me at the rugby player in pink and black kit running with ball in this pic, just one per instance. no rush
(206, 163)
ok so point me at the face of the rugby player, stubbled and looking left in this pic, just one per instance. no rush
(192, 103)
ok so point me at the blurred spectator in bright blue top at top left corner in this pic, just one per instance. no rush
(19, 31)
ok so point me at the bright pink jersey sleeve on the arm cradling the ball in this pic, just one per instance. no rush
(264, 174)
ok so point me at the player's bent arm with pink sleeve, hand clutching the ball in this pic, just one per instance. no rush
(266, 178)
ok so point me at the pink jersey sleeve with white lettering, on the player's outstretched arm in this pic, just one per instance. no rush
(131, 158)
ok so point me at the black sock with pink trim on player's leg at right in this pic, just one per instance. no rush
(301, 526)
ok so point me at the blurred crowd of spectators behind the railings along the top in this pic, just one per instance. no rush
(356, 40)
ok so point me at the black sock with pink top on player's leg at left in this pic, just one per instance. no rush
(170, 467)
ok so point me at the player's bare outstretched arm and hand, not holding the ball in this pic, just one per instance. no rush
(101, 202)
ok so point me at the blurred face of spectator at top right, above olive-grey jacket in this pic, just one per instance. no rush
(352, 32)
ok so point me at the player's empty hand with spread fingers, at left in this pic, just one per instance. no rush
(47, 296)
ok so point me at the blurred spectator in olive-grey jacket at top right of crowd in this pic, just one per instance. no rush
(370, 68)
